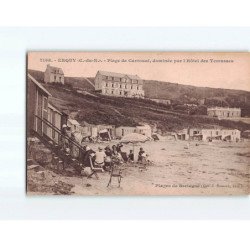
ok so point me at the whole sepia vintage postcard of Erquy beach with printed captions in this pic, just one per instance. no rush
(138, 123)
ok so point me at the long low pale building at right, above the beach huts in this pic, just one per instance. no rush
(224, 113)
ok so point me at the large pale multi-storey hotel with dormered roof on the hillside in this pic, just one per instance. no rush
(117, 84)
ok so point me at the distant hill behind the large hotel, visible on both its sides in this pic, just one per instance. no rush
(178, 93)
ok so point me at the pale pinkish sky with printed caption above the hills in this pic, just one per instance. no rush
(204, 69)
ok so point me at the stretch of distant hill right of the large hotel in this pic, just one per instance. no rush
(181, 94)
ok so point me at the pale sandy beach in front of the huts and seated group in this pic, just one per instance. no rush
(220, 168)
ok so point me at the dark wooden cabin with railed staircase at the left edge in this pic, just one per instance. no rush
(38, 125)
